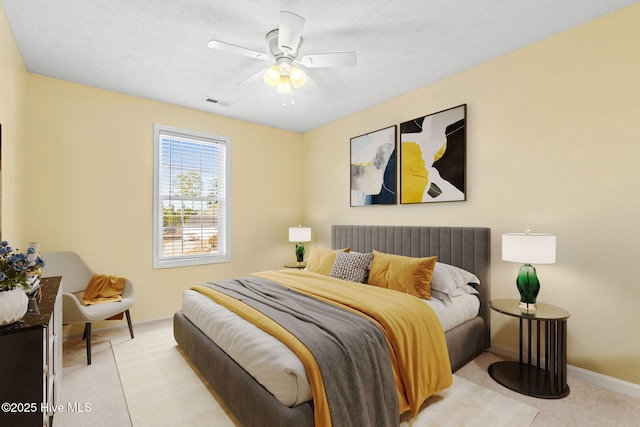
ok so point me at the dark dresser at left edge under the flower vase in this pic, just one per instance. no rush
(31, 361)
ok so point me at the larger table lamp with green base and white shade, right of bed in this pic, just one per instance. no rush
(528, 248)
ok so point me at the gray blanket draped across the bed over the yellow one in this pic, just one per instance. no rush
(351, 351)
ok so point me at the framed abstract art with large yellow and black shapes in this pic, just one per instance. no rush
(433, 157)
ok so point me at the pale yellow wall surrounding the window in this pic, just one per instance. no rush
(90, 158)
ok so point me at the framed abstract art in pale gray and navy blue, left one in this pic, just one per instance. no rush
(373, 168)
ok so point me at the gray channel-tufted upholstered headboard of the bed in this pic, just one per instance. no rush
(464, 247)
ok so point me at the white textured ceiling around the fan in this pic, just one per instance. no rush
(157, 49)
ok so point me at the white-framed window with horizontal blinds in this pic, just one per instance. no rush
(191, 201)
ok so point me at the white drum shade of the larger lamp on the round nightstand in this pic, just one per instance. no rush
(529, 248)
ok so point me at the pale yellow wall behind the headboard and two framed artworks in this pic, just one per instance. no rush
(553, 146)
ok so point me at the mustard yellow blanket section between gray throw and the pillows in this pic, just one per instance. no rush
(421, 367)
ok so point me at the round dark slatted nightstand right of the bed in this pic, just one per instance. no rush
(548, 381)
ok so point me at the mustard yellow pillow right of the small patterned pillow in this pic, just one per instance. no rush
(401, 273)
